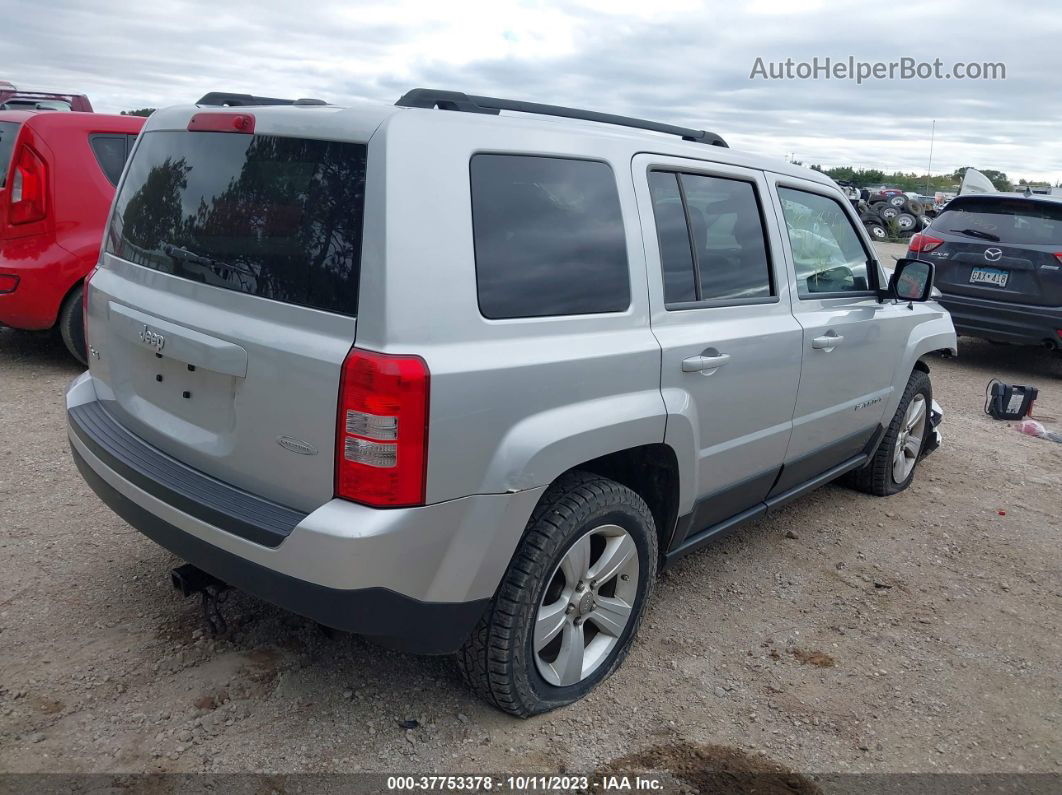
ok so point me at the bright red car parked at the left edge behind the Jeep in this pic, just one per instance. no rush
(58, 178)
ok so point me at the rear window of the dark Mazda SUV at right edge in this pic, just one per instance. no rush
(1015, 221)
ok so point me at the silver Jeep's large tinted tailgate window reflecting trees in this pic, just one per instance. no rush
(278, 218)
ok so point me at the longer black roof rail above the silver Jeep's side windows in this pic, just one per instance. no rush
(430, 98)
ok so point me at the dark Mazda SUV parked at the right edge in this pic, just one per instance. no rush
(999, 261)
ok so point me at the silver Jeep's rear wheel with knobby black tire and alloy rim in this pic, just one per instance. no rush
(500, 661)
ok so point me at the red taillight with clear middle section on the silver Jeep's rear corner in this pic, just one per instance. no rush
(382, 443)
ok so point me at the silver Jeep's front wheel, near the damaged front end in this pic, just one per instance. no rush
(881, 476)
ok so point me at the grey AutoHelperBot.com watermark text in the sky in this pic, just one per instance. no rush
(861, 72)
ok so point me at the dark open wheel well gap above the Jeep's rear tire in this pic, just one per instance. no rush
(653, 473)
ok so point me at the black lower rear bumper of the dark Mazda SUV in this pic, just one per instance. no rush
(1004, 322)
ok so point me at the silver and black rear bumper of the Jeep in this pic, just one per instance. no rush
(419, 579)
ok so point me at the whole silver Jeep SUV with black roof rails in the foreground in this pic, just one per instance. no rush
(463, 374)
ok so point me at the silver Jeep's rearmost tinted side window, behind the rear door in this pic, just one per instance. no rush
(550, 237)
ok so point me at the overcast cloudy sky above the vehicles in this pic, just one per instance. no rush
(689, 63)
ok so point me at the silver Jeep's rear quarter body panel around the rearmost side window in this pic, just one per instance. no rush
(515, 403)
